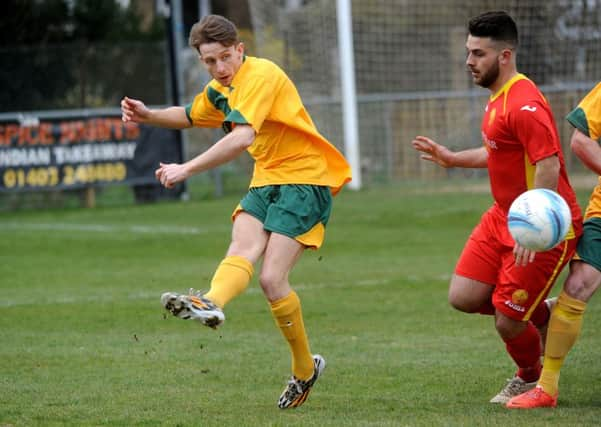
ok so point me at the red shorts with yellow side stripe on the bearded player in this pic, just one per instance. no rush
(488, 258)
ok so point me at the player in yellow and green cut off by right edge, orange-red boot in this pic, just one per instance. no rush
(585, 269)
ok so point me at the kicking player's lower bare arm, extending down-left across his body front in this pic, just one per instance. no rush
(227, 148)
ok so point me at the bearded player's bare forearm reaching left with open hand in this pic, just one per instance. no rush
(441, 155)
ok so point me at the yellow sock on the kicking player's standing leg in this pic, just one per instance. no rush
(289, 318)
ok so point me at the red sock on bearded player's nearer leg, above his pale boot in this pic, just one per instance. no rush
(525, 350)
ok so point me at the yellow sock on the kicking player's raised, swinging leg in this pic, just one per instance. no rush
(230, 279)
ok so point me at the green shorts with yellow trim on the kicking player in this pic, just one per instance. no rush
(299, 211)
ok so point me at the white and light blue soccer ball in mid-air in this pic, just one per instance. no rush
(539, 219)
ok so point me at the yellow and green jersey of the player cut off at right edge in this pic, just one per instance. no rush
(586, 117)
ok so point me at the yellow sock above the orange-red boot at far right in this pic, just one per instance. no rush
(564, 327)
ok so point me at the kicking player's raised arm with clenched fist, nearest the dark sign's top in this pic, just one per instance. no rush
(134, 110)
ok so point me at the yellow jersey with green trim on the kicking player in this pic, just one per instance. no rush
(287, 148)
